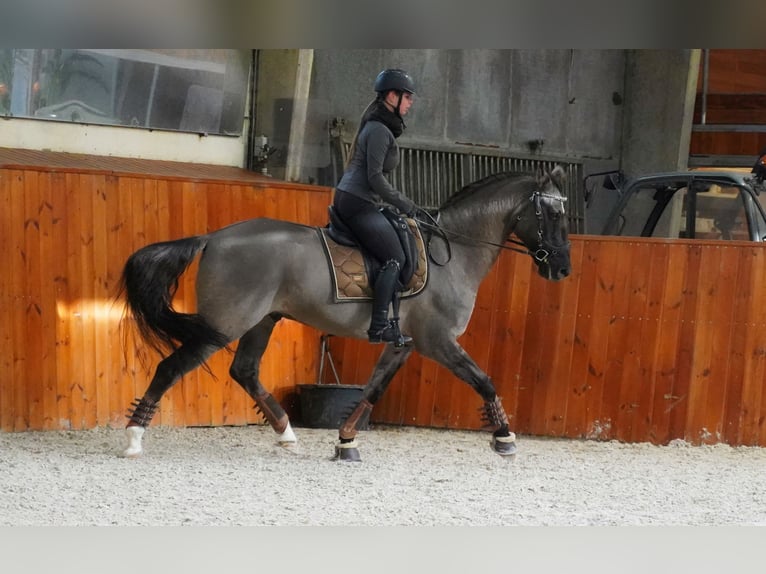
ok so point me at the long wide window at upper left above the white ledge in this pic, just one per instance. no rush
(201, 91)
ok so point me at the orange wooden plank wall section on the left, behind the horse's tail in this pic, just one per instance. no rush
(64, 238)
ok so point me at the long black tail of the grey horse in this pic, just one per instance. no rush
(149, 282)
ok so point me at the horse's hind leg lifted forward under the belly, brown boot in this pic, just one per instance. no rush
(245, 369)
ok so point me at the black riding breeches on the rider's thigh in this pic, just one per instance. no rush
(370, 227)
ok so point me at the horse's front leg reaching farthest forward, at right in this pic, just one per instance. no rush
(450, 354)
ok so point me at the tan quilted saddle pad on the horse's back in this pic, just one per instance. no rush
(349, 273)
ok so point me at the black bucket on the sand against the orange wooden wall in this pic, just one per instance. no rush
(328, 406)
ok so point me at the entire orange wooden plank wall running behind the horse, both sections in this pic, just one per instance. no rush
(648, 340)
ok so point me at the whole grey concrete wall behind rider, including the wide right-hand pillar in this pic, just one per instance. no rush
(609, 109)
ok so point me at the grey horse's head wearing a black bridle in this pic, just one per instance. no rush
(542, 226)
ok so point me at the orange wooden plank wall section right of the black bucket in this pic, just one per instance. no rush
(648, 340)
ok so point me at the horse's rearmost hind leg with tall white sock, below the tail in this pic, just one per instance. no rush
(168, 372)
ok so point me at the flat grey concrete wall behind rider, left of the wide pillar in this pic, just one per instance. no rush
(501, 99)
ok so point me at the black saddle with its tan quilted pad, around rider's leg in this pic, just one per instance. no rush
(354, 270)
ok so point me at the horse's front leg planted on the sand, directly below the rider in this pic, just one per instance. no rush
(388, 364)
